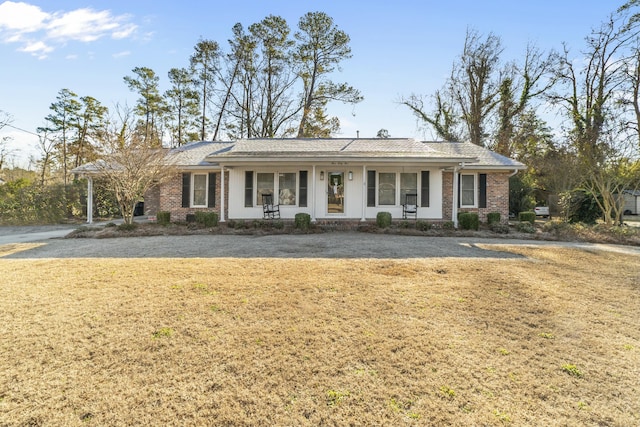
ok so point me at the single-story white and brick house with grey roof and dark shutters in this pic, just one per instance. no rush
(335, 179)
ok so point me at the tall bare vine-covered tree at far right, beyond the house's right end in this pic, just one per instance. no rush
(588, 97)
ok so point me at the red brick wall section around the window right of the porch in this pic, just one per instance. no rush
(497, 197)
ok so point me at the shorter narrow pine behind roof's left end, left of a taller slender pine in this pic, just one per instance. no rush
(183, 105)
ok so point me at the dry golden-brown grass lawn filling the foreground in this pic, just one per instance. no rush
(322, 342)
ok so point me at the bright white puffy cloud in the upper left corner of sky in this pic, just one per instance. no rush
(40, 32)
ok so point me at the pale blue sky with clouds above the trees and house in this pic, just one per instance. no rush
(399, 47)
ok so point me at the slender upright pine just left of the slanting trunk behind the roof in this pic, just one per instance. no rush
(205, 65)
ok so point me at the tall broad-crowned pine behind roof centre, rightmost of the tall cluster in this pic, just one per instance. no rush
(321, 47)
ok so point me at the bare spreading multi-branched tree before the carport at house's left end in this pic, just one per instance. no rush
(129, 164)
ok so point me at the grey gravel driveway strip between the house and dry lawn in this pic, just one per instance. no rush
(324, 245)
